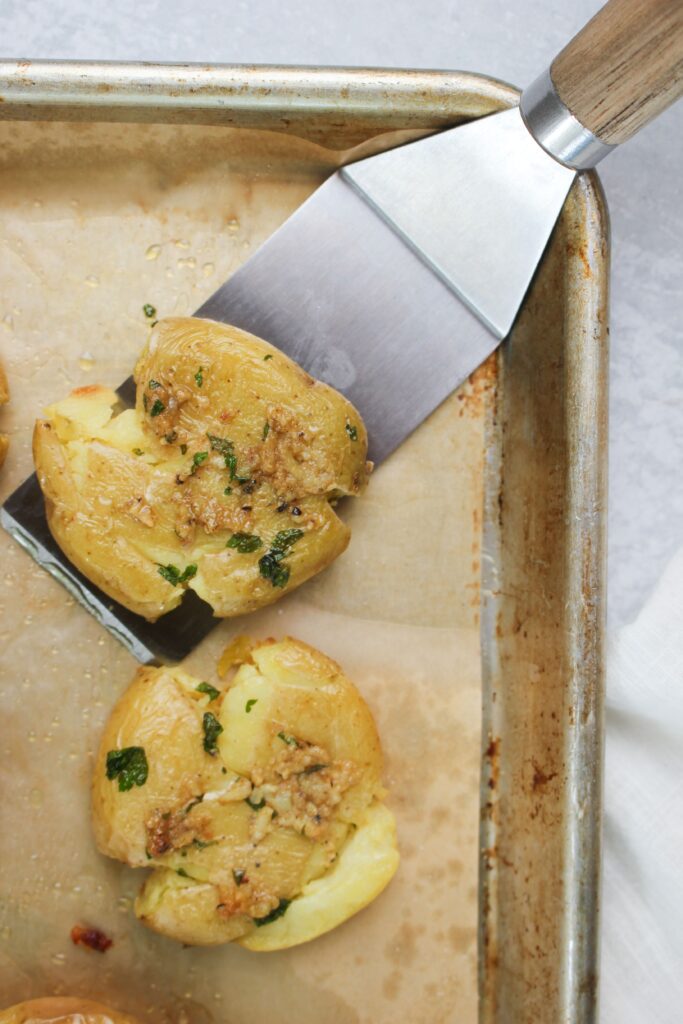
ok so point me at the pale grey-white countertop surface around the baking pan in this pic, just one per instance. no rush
(511, 41)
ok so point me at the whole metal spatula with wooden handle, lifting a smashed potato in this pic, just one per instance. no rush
(405, 271)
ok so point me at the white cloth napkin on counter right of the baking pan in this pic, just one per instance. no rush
(643, 911)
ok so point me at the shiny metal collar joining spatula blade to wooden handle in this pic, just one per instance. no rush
(557, 130)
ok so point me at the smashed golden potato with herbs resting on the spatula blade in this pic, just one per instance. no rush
(222, 480)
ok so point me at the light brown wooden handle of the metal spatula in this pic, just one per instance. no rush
(624, 68)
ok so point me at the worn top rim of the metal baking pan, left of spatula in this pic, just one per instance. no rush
(339, 107)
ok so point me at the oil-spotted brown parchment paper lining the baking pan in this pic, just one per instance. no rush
(97, 221)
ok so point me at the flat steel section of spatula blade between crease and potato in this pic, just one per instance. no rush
(343, 294)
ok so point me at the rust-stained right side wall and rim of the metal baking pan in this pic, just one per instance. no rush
(543, 628)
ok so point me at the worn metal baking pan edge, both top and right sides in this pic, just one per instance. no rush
(543, 580)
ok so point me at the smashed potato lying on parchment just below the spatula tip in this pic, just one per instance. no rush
(260, 806)
